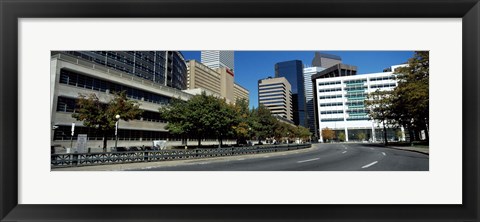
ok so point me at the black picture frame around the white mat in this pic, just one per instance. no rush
(12, 10)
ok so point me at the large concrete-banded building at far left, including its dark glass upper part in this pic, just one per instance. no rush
(72, 75)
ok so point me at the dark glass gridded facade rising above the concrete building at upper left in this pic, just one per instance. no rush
(166, 68)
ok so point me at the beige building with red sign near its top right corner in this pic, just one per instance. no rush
(218, 81)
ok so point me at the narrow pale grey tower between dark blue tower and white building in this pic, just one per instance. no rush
(310, 107)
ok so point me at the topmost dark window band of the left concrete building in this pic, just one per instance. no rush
(82, 81)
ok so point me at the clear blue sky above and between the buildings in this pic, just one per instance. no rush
(250, 66)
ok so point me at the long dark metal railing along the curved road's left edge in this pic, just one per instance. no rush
(89, 159)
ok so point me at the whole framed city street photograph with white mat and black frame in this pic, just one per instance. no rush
(71, 39)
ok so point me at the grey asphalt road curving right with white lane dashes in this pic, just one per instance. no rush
(321, 157)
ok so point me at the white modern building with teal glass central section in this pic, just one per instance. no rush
(340, 104)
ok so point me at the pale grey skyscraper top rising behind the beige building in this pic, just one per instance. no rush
(218, 59)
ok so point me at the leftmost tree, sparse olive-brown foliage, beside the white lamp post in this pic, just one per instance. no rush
(101, 116)
